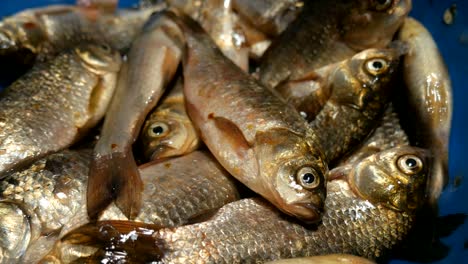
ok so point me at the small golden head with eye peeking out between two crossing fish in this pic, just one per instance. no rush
(167, 135)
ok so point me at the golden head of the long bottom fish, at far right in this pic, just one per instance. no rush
(396, 177)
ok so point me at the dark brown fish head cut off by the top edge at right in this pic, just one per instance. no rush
(373, 23)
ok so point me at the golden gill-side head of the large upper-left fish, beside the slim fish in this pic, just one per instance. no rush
(99, 58)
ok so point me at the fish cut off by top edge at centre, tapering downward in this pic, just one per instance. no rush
(269, 16)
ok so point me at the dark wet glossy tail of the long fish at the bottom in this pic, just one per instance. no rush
(139, 241)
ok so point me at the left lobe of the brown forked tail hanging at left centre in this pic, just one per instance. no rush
(101, 191)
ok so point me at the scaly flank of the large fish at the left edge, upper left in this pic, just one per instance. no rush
(43, 111)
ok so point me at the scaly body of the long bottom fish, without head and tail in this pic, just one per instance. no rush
(251, 231)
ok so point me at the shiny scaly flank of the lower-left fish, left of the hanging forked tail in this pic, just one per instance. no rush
(51, 187)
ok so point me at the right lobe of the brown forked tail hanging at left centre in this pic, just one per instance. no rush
(129, 185)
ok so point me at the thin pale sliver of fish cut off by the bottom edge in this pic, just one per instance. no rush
(326, 259)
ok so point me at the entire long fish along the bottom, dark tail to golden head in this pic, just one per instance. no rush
(363, 217)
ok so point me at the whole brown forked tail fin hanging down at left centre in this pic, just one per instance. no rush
(114, 176)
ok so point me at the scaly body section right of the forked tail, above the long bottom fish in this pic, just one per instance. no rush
(178, 190)
